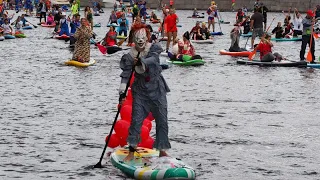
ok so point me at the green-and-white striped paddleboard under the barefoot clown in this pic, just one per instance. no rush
(147, 165)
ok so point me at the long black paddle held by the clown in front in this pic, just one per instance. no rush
(99, 165)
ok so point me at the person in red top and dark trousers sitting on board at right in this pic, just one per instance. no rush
(265, 46)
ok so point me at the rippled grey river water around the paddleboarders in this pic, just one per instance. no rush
(228, 121)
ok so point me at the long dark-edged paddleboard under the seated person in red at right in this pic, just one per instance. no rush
(283, 63)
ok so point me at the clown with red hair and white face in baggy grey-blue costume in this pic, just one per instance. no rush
(149, 90)
